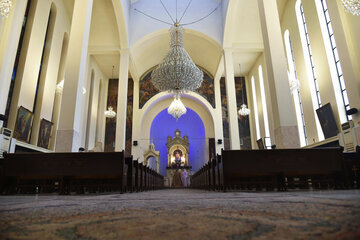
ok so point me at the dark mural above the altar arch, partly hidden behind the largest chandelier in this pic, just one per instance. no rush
(147, 90)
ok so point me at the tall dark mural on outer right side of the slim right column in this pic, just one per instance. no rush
(243, 121)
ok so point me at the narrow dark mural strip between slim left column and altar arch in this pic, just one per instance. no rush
(129, 117)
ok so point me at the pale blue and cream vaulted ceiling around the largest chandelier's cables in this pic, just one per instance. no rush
(149, 43)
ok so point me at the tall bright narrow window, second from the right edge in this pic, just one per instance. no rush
(310, 68)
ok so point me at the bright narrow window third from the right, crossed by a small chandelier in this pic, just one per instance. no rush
(296, 92)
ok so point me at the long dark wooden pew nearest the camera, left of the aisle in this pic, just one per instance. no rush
(64, 172)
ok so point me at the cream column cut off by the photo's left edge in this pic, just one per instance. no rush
(10, 35)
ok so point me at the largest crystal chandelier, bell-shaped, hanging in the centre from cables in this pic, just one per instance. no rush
(177, 72)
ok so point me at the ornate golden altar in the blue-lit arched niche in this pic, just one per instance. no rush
(178, 168)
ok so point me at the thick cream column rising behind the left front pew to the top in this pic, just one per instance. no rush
(68, 133)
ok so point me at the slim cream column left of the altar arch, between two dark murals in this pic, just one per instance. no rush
(120, 137)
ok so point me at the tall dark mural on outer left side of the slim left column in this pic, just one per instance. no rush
(110, 127)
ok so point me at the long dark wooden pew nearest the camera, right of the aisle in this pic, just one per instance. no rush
(281, 168)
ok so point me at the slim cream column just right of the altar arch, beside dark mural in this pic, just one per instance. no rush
(231, 100)
